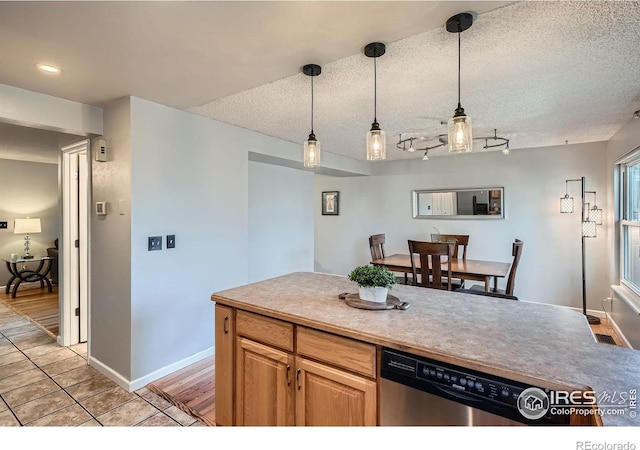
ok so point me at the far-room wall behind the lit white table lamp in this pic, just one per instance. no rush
(27, 189)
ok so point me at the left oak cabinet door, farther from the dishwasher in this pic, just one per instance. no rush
(264, 387)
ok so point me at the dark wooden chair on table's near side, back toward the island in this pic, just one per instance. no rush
(431, 273)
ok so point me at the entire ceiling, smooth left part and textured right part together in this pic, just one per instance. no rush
(541, 73)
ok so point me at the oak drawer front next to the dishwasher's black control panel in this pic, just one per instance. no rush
(338, 351)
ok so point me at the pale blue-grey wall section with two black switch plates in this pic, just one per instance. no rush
(188, 178)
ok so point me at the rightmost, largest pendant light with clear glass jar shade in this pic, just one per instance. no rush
(460, 137)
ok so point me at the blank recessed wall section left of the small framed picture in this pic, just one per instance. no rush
(280, 221)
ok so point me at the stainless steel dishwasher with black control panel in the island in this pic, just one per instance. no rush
(421, 391)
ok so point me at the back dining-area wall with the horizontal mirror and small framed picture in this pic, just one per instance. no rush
(533, 181)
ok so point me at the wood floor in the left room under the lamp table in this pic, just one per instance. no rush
(38, 306)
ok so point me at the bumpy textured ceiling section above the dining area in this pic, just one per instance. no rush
(541, 73)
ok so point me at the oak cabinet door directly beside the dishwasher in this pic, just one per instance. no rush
(326, 396)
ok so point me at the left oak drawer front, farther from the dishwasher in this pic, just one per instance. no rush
(264, 329)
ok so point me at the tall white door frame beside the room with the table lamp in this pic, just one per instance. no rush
(69, 280)
